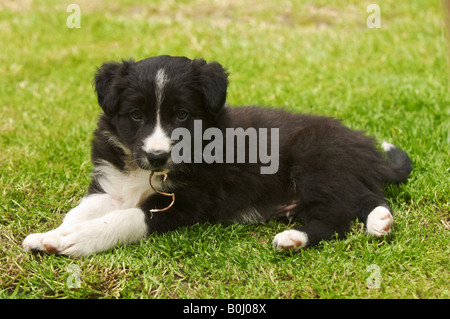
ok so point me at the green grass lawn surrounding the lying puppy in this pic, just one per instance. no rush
(312, 57)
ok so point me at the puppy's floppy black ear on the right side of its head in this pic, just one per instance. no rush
(213, 79)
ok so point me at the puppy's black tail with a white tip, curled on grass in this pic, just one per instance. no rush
(399, 162)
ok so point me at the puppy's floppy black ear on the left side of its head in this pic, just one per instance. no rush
(109, 82)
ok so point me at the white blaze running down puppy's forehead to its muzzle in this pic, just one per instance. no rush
(158, 141)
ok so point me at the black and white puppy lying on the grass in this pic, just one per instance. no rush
(316, 170)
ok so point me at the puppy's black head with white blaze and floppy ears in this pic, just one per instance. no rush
(146, 100)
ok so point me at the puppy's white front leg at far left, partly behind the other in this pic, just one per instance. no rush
(92, 206)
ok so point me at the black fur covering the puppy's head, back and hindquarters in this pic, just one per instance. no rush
(332, 173)
